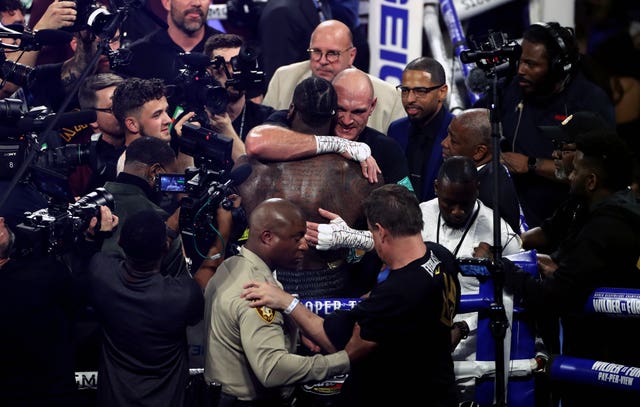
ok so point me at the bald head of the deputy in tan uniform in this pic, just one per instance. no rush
(276, 233)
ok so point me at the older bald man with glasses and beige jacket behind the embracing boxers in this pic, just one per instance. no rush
(331, 51)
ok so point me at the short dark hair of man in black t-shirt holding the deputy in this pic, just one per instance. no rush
(395, 208)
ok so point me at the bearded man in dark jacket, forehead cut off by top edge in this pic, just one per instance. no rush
(157, 56)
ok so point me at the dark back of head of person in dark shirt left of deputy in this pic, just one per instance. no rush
(144, 237)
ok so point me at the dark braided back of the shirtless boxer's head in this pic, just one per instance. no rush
(315, 101)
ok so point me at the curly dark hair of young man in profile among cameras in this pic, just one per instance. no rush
(133, 93)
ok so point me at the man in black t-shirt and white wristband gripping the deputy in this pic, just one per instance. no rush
(414, 306)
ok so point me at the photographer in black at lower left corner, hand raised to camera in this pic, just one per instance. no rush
(39, 300)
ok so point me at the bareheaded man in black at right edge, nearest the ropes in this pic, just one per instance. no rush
(600, 249)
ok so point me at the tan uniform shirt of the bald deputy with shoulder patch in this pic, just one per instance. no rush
(250, 350)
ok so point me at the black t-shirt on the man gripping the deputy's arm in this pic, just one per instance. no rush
(409, 316)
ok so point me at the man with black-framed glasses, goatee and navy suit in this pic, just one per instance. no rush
(424, 92)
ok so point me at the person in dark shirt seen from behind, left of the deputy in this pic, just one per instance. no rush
(144, 316)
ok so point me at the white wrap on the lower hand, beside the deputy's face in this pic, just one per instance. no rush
(337, 234)
